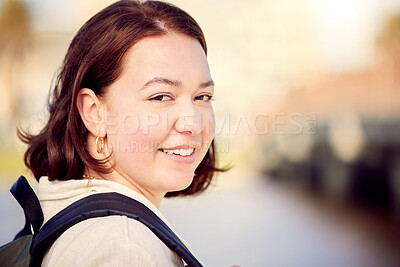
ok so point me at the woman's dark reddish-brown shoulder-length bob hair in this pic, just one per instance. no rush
(95, 60)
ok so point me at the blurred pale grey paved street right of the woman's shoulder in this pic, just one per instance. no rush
(263, 224)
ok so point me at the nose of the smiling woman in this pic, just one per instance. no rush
(189, 120)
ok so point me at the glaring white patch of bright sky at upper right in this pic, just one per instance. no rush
(346, 29)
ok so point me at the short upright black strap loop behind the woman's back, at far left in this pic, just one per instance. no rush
(28, 200)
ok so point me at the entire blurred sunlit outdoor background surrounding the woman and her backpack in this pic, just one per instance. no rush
(308, 115)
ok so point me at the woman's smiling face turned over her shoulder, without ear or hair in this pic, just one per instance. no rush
(160, 121)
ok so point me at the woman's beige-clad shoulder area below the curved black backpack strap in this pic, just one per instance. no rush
(109, 241)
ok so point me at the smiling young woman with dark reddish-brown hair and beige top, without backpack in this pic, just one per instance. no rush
(130, 113)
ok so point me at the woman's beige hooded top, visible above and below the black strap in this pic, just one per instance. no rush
(106, 241)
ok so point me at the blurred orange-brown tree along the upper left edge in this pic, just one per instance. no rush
(15, 40)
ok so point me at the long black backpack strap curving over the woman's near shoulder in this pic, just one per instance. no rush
(106, 204)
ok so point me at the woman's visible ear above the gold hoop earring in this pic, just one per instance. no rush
(90, 110)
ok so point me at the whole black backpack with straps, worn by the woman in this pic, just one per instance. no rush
(32, 242)
